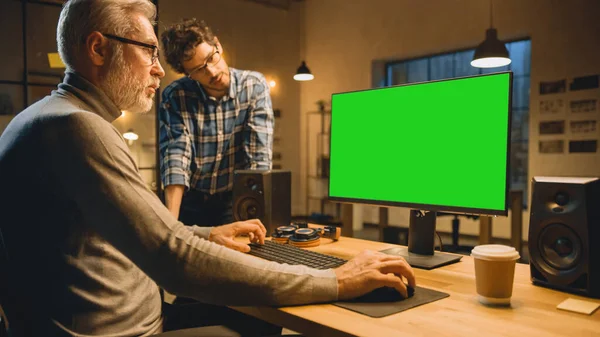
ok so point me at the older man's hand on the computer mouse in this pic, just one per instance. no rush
(371, 270)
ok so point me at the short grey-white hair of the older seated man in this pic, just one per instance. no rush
(79, 18)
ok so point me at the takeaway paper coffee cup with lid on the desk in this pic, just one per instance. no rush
(494, 273)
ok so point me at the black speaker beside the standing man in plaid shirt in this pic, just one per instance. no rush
(264, 195)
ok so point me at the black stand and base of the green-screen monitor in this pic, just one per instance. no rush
(421, 236)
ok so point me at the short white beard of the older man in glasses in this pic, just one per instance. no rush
(125, 89)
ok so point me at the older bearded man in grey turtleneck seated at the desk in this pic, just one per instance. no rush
(85, 242)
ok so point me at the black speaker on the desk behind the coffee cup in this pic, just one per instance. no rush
(564, 234)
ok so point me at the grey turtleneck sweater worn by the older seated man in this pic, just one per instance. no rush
(87, 242)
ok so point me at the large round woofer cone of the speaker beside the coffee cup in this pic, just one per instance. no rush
(560, 247)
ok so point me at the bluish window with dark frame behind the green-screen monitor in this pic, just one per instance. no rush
(458, 64)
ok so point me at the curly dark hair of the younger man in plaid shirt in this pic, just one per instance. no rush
(180, 40)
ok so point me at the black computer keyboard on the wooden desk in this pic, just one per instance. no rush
(285, 253)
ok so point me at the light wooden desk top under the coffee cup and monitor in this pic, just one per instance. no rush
(533, 311)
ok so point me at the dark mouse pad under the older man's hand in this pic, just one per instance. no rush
(381, 309)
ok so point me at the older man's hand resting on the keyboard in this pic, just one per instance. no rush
(225, 235)
